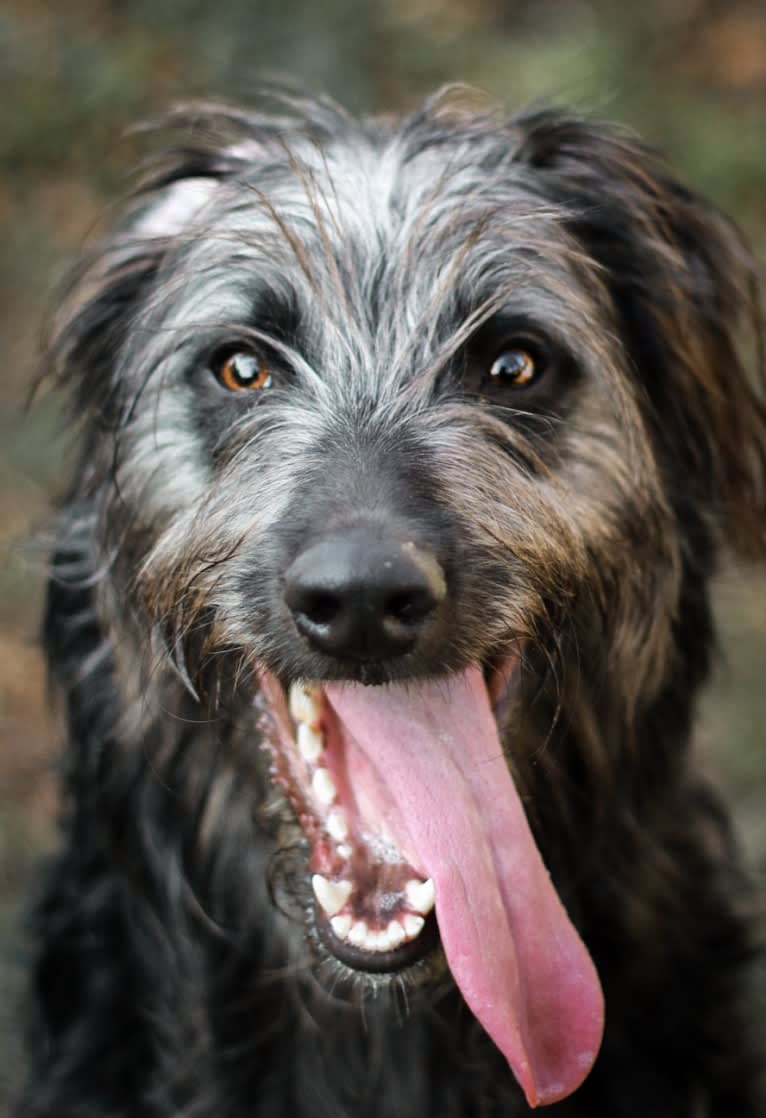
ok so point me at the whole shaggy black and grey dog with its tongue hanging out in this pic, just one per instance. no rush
(381, 607)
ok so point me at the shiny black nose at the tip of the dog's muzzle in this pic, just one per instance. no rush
(364, 595)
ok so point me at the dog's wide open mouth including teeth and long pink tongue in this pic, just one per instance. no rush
(418, 835)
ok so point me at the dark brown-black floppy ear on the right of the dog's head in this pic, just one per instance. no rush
(687, 296)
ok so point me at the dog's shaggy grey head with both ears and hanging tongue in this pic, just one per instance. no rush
(409, 447)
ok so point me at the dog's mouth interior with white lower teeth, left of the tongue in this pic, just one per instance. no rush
(374, 907)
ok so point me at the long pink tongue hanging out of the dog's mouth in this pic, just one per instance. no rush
(452, 808)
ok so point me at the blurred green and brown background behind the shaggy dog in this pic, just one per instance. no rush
(74, 74)
